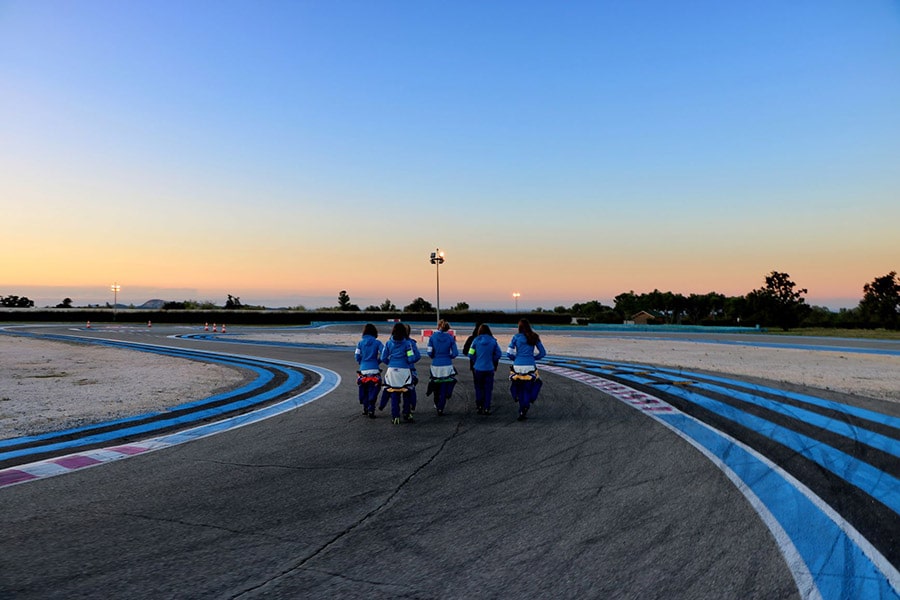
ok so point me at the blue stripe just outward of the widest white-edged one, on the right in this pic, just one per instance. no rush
(880, 485)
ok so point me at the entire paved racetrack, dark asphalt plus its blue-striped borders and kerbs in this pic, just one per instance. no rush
(630, 481)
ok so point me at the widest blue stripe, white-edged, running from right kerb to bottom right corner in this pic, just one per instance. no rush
(844, 571)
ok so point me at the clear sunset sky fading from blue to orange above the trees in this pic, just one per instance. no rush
(284, 151)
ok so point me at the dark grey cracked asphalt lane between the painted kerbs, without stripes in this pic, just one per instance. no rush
(588, 498)
